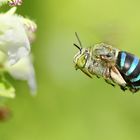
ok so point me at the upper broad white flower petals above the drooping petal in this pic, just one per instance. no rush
(15, 36)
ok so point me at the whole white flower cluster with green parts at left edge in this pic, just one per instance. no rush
(16, 35)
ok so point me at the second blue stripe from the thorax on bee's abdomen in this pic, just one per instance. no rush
(133, 66)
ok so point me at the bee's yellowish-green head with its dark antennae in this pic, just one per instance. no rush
(81, 58)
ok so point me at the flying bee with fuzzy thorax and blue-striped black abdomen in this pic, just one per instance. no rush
(116, 67)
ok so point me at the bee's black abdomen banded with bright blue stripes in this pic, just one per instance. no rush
(129, 66)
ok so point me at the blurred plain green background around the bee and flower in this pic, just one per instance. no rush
(69, 105)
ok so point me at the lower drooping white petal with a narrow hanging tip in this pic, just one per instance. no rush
(24, 70)
